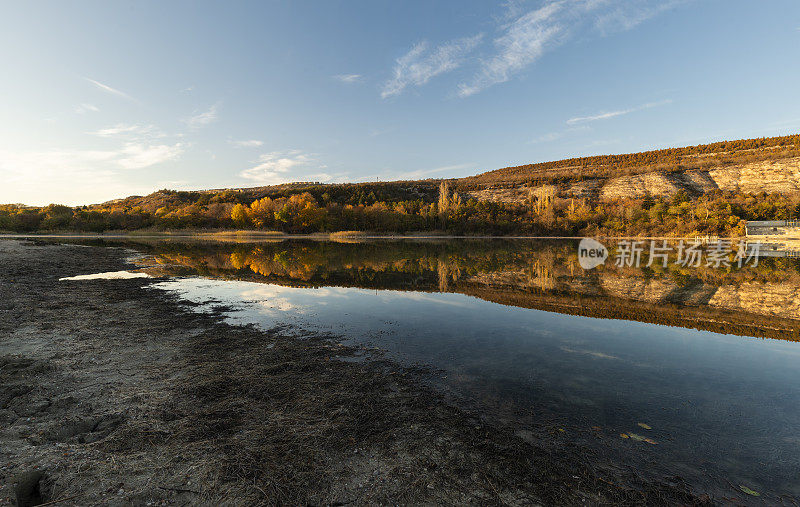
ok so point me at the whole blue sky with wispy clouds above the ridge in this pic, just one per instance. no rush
(105, 99)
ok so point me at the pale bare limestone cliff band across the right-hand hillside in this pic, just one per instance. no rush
(770, 176)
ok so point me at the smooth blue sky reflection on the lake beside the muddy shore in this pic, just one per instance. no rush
(721, 402)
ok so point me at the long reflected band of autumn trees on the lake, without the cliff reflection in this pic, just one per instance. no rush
(543, 264)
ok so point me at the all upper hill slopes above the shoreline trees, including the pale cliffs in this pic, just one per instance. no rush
(748, 166)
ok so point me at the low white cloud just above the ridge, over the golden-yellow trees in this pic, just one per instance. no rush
(283, 166)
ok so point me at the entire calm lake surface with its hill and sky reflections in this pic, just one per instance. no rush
(676, 371)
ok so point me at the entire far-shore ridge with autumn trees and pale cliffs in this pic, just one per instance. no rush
(705, 189)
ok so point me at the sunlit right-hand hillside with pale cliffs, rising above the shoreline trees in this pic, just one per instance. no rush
(748, 166)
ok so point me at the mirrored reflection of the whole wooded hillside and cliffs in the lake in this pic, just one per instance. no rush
(762, 301)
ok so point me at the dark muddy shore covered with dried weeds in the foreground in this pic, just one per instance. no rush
(112, 392)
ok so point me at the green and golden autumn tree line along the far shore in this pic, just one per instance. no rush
(313, 209)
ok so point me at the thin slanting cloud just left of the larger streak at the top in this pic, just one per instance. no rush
(420, 64)
